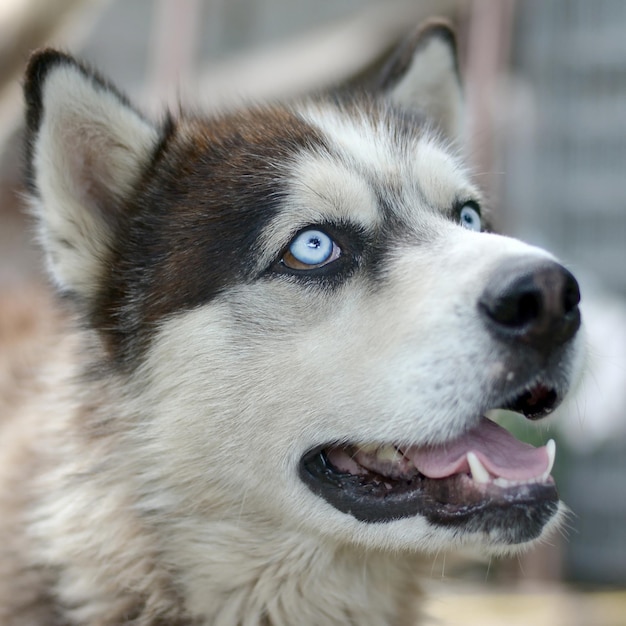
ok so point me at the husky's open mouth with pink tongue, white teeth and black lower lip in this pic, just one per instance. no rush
(485, 480)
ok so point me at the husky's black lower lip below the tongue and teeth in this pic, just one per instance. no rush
(519, 512)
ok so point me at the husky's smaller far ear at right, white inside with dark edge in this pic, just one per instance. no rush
(423, 74)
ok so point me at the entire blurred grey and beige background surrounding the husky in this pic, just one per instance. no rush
(546, 136)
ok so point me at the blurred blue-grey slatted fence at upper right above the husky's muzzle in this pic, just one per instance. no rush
(566, 171)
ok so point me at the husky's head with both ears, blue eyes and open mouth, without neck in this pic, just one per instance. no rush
(302, 307)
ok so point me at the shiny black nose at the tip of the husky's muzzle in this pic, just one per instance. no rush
(536, 304)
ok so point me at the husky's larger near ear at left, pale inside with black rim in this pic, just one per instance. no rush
(86, 150)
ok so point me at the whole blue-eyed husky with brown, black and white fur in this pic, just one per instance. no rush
(284, 328)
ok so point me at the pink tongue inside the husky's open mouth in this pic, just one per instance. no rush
(502, 455)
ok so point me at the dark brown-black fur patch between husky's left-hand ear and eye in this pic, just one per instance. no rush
(195, 221)
